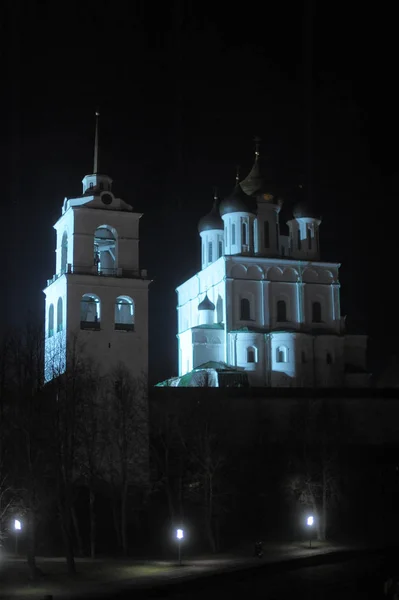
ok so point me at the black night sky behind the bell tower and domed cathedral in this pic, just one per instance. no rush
(182, 90)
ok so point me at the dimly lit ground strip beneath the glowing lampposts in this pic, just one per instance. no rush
(101, 575)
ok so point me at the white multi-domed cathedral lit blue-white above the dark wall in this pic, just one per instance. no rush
(265, 303)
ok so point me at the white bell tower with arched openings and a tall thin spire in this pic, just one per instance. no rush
(98, 295)
